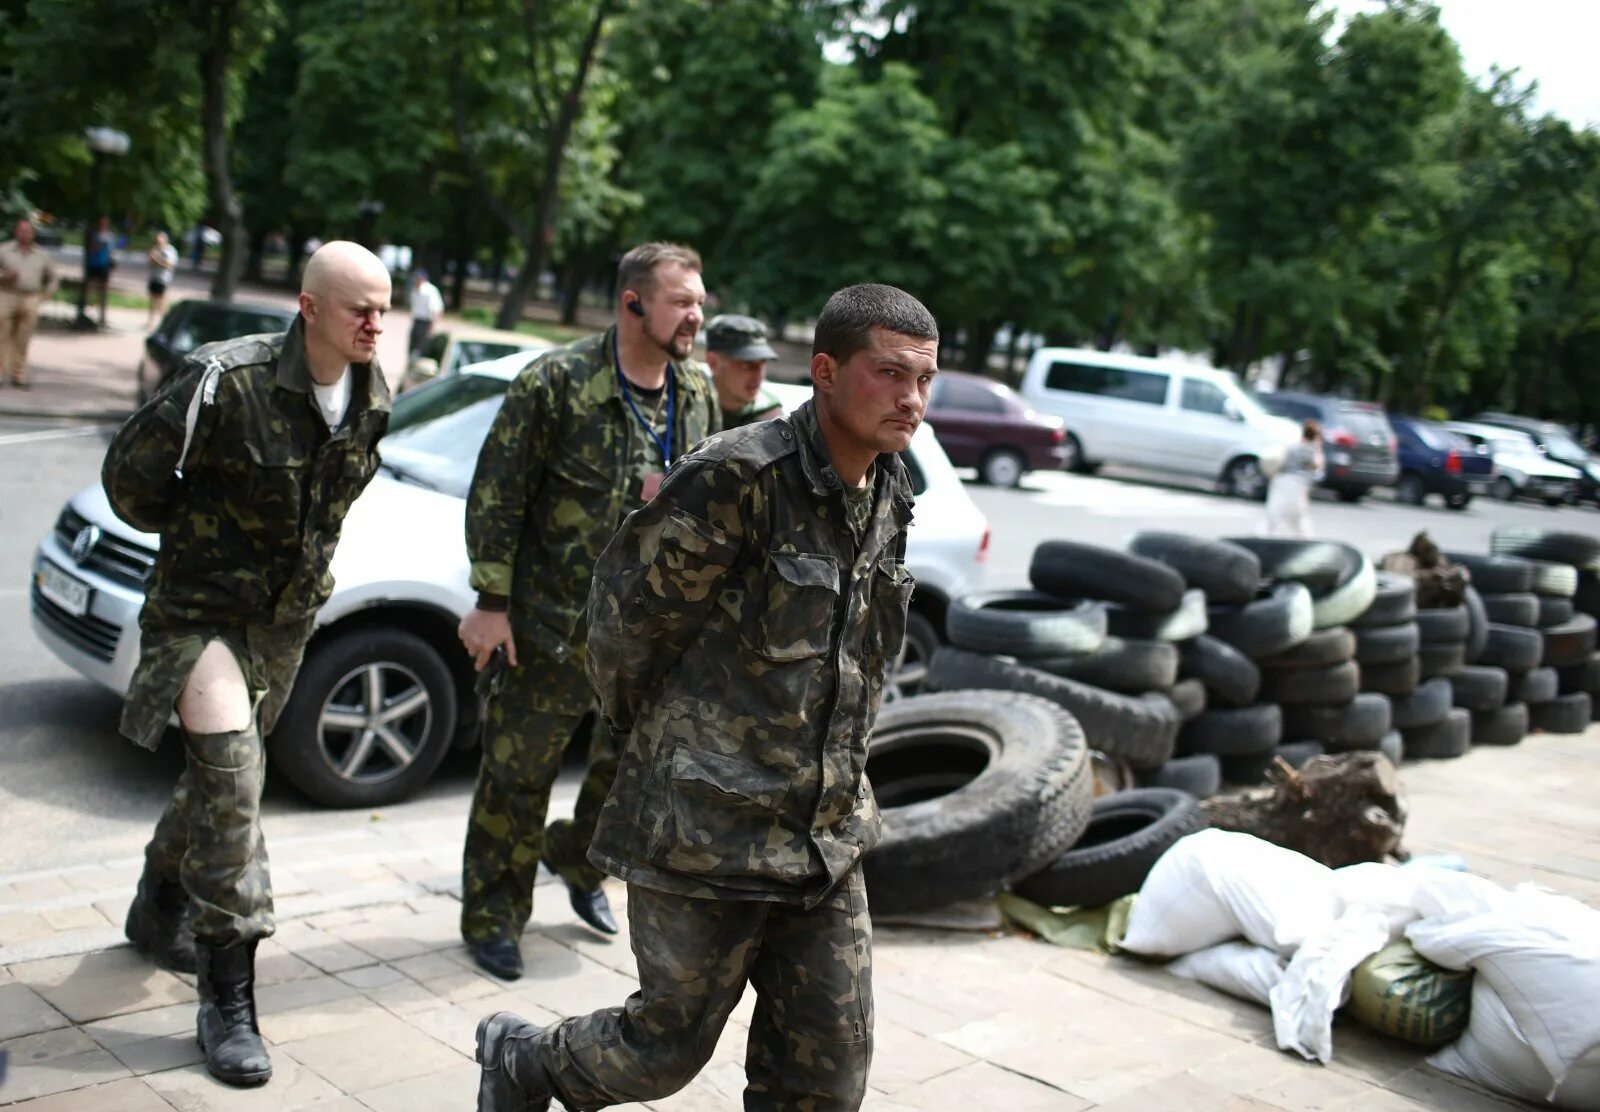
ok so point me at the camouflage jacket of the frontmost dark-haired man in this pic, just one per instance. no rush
(738, 633)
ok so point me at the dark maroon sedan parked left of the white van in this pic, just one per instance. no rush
(988, 426)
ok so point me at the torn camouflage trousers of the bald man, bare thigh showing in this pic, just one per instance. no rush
(210, 834)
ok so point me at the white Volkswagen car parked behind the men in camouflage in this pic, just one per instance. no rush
(386, 690)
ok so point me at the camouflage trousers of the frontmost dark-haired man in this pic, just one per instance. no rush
(810, 1042)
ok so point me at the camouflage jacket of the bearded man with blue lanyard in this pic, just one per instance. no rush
(553, 484)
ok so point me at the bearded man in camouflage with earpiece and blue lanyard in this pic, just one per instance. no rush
(583, 441)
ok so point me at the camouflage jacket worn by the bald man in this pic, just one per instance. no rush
(250, 527)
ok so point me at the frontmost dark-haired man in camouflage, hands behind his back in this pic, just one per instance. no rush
(740, 630)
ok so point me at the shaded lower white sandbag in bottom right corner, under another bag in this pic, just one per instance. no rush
(1495, 1054)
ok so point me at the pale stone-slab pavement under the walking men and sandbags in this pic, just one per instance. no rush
(370, 1002)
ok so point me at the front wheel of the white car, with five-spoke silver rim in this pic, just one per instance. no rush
(369, 721)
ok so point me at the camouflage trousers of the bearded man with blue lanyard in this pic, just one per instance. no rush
(530, 724)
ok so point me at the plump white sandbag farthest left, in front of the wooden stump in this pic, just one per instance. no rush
(1217, 886)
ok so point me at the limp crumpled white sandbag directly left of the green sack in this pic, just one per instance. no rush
(1318, 982)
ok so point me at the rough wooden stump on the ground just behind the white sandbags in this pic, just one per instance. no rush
(1338, 810)
